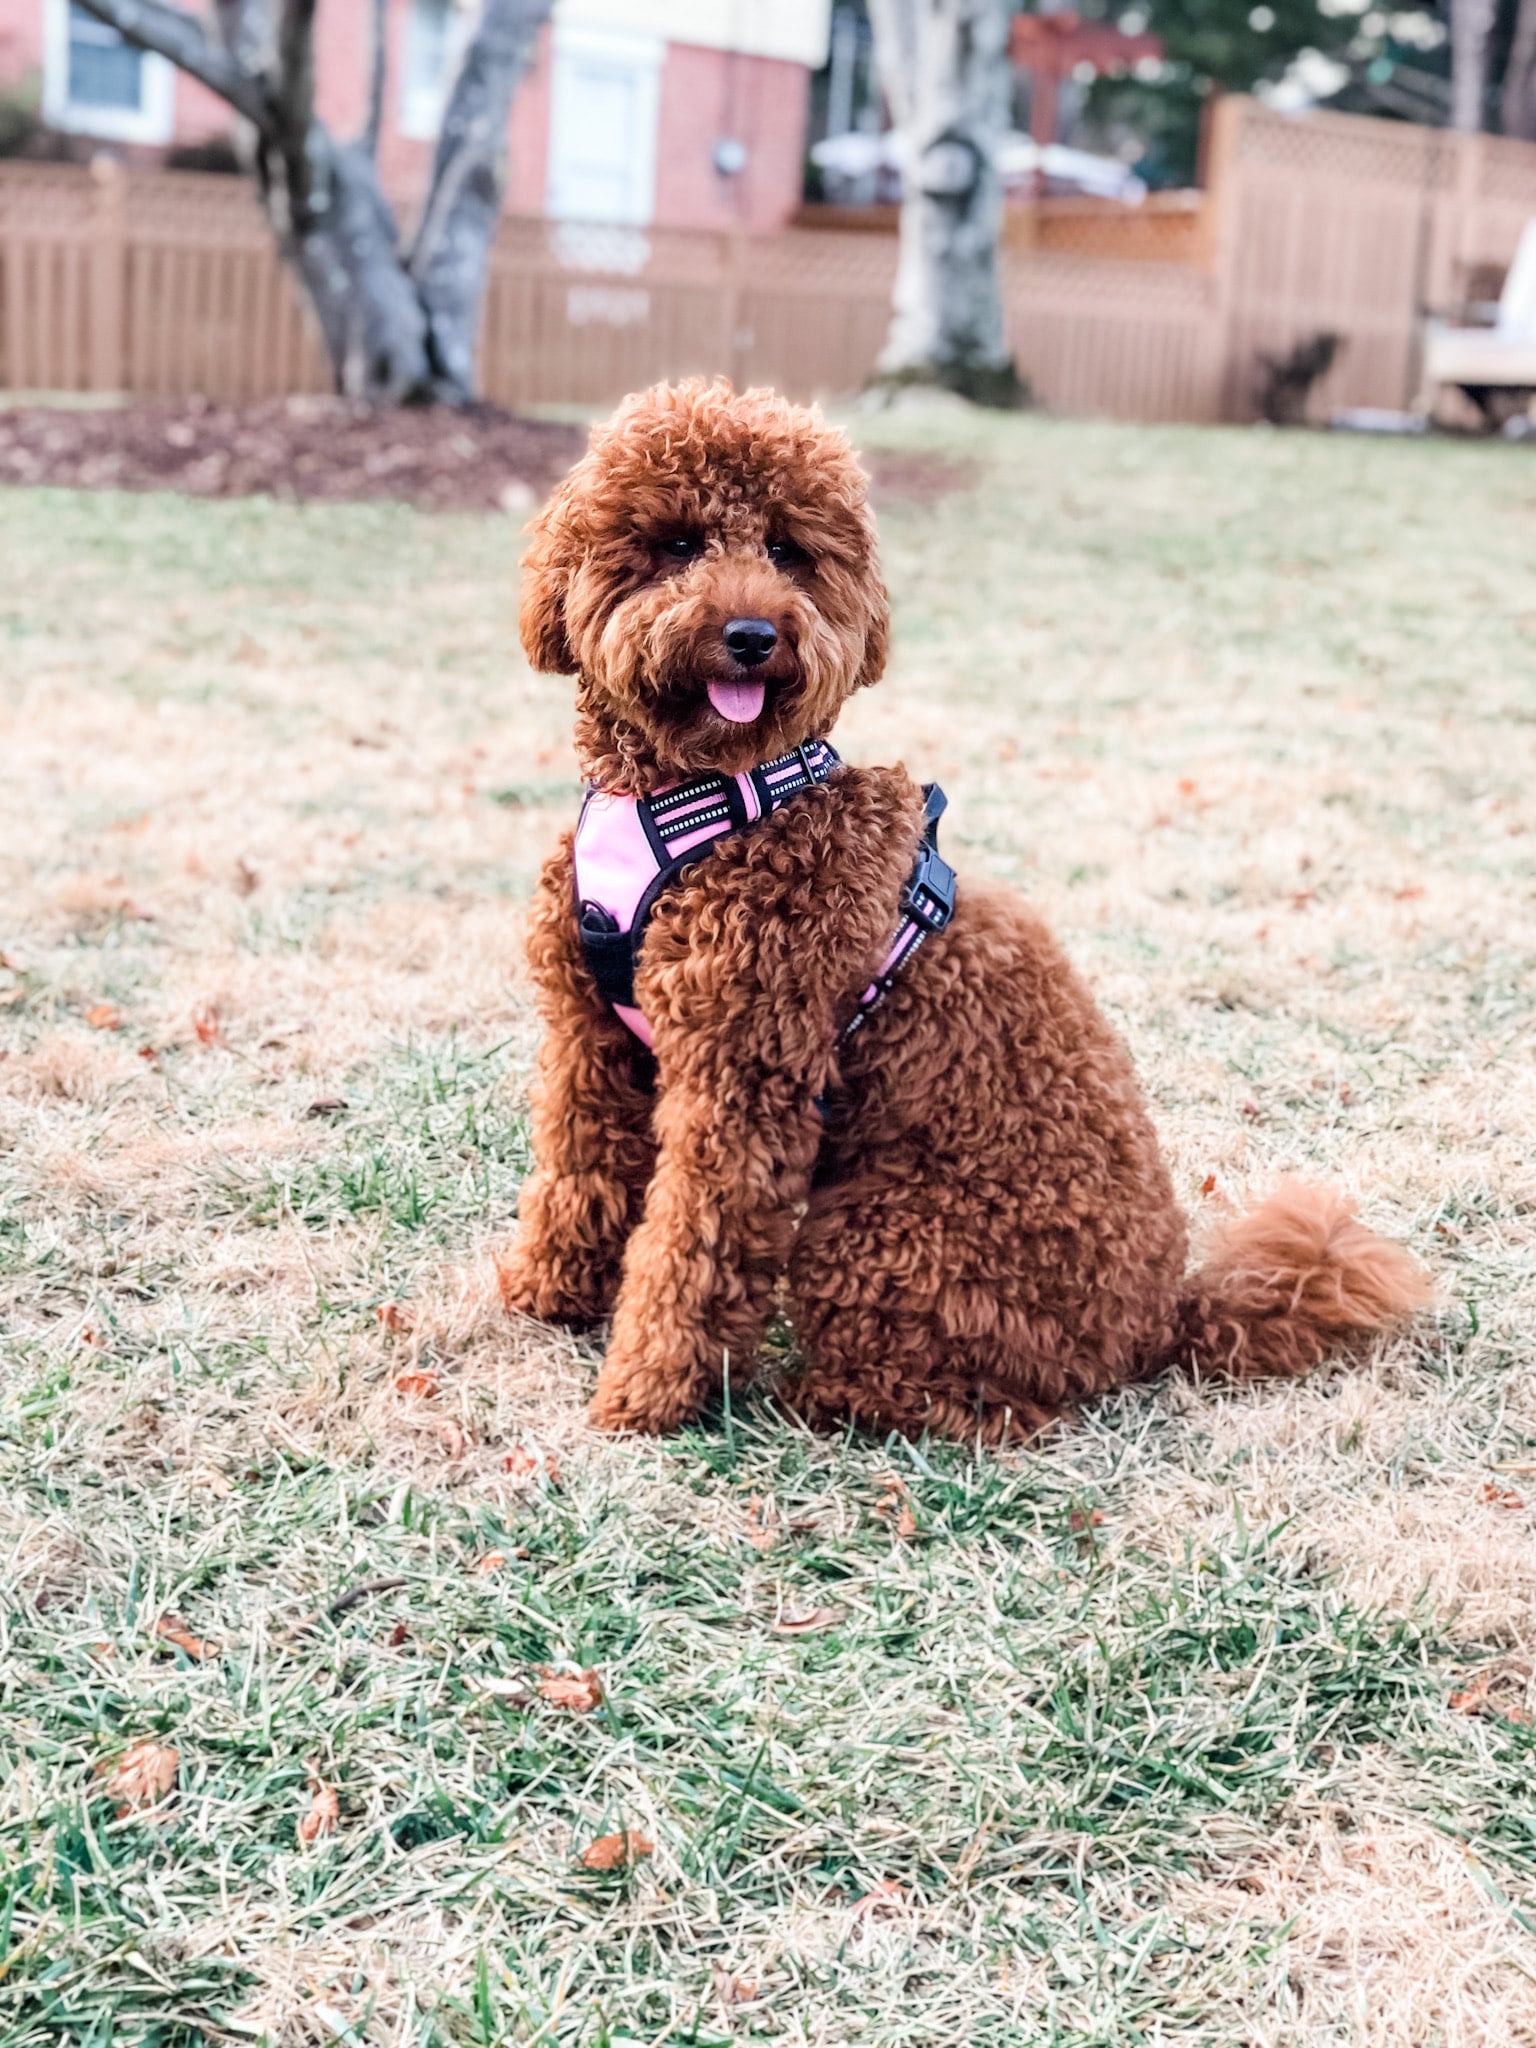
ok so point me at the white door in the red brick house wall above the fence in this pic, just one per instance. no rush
(603, 126)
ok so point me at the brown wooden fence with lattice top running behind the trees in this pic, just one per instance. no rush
(167, 284)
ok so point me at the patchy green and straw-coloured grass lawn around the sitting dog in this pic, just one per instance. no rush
(1209, 1719)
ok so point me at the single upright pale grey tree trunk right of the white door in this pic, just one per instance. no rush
(947, 83)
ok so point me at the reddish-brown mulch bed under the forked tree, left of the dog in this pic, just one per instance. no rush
(478, 460)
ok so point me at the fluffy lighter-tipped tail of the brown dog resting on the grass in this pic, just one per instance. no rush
(1285, 1285)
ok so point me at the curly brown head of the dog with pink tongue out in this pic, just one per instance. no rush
(710, 572)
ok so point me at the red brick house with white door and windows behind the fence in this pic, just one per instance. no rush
(673, 114)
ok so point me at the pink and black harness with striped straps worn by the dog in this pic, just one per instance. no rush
(630, 849)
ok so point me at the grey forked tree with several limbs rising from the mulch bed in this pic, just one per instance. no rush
(398, 327)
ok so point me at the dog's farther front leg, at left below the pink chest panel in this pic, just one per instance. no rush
(591, 1129)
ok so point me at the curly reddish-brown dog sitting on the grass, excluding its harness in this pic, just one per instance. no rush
(964, 1199)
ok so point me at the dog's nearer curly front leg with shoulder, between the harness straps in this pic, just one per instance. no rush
(744, 976)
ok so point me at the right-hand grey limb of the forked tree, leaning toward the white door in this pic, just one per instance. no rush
(464, 200)
